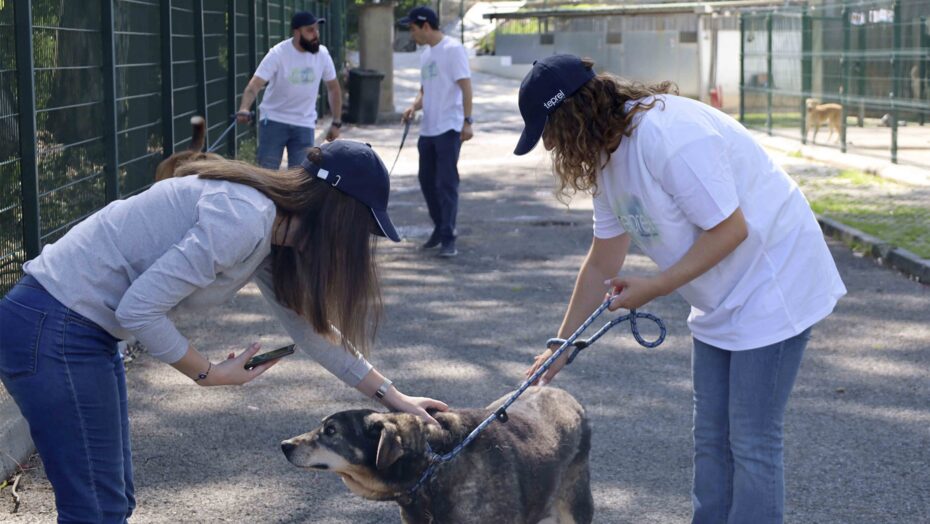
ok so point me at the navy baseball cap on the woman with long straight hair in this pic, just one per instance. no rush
(355, 169)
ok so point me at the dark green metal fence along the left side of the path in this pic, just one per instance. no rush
(94, 94)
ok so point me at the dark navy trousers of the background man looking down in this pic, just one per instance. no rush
(439, 180)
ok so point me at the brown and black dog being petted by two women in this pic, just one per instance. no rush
(531, 469)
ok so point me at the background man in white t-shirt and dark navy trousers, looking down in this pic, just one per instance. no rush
(445, 97)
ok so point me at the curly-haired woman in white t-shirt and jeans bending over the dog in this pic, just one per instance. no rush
(729, 230)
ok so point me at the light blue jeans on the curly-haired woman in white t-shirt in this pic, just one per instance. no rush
(739, 408)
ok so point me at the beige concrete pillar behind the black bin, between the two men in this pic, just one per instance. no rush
(376, 38)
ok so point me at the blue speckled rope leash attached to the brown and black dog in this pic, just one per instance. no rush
(572, 341)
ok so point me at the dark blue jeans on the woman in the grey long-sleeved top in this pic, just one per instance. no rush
(67, 377)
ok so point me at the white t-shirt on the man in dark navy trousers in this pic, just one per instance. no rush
(440, 67)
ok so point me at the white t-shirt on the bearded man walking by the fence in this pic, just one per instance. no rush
(293, 83)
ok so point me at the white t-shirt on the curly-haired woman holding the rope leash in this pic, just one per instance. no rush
(685, 168)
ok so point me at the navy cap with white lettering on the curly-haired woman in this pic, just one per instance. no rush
(545, 87)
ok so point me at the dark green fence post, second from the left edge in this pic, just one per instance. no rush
(111, 171)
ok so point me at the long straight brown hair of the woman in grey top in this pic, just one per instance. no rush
(329, 276)
